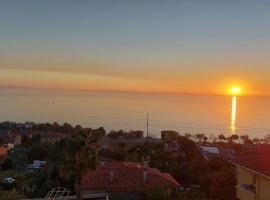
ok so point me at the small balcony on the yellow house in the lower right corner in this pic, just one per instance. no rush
(246, 192)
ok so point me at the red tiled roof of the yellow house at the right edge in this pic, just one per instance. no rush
(256, 159)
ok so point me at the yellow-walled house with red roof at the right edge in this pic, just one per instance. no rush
(253, 174)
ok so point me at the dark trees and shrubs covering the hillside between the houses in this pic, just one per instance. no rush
(68, 159)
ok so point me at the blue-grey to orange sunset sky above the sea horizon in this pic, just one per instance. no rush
(147, 46)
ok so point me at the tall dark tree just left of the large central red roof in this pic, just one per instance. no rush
(71, 158)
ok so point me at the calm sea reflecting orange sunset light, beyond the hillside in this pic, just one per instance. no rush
(115, 110)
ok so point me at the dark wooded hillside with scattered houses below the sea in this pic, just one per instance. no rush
(36, 158)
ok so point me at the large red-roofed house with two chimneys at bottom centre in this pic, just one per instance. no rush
(126, 180)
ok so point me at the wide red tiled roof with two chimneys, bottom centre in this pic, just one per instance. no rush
(128, 176)
